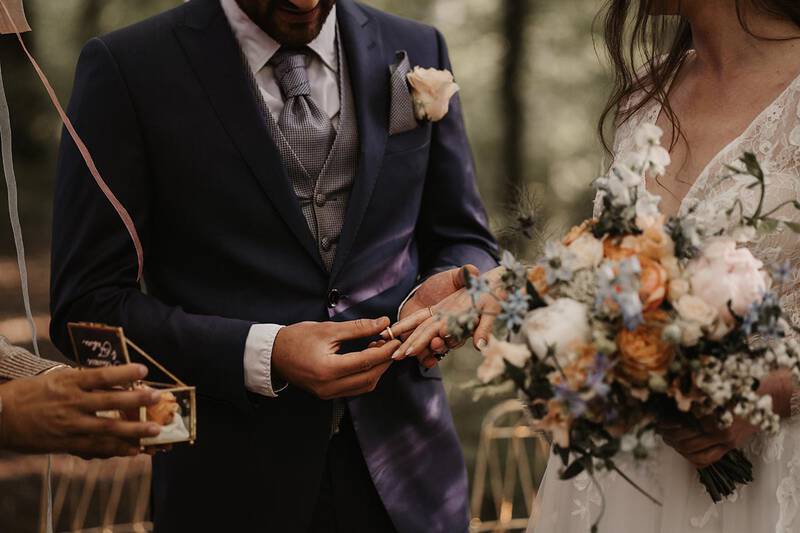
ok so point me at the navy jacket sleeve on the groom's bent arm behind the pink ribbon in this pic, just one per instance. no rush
(94, 266)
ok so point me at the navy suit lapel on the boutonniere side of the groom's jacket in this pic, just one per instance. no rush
(369, 76)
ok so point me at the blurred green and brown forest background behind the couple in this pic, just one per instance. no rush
(532, 86)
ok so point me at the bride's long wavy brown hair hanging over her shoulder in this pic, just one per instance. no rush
(632, 33)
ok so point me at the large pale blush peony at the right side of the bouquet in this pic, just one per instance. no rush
(726, 275)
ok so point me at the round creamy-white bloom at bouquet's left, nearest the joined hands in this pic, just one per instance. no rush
(561, 325)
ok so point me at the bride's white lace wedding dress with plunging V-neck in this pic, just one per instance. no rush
(772, 503)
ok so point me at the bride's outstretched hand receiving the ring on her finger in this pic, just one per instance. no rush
(429, 326)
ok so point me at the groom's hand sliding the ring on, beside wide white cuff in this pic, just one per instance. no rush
(305, 355)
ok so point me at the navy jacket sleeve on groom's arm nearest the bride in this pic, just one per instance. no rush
(453, 228)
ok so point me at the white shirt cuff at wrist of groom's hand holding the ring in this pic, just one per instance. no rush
(258, 360)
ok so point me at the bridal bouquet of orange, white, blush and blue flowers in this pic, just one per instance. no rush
(633, 318)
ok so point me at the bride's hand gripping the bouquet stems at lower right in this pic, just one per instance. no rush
(707, 445)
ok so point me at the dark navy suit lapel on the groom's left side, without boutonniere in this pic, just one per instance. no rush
(213, 53)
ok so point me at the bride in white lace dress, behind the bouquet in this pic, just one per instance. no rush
(721, 77)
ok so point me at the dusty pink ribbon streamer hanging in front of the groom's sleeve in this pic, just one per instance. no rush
(87, 157)
